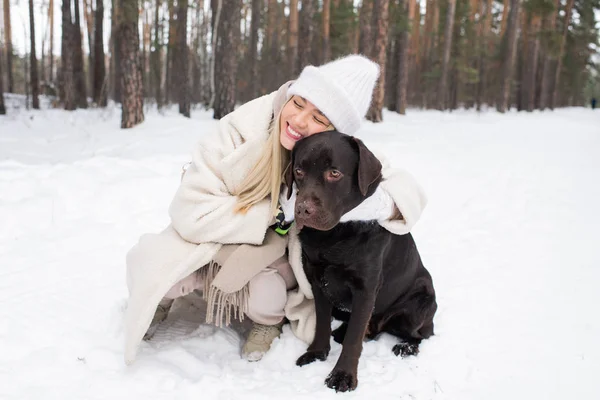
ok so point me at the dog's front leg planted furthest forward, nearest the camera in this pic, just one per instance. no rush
(343, 376)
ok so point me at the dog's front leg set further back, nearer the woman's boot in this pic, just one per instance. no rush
(319, 348)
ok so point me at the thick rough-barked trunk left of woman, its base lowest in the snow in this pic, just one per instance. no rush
(130, 65)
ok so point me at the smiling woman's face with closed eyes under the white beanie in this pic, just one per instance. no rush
(300, 118)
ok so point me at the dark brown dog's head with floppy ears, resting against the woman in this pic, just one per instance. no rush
(334, 173)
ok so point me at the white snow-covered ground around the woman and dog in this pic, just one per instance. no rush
(510, 236)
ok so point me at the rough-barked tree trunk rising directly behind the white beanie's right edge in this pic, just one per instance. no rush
(381, 14)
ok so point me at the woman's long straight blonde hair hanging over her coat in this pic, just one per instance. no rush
(267, 174)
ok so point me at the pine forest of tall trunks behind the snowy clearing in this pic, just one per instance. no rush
(440, 54)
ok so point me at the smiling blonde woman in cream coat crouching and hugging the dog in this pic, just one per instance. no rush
(231, 234)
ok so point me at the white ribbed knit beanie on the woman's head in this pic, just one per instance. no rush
(341, 89)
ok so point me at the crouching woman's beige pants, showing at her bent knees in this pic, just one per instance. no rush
(267, 291)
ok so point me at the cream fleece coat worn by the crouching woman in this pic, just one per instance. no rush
(202, 221)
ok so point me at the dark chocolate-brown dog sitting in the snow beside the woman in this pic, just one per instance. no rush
(360, 273)
